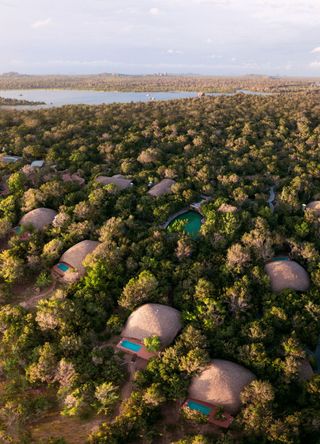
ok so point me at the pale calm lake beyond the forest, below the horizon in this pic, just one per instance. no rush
(60, 97)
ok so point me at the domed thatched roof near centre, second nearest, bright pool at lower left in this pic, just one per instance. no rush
(153, 319)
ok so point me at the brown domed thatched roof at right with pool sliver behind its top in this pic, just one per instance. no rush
(287, 274)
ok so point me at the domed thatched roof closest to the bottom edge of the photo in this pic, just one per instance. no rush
(221, 384)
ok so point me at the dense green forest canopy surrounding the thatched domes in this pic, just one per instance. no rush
(226, 154)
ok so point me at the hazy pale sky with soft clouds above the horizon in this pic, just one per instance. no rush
(147, 36)
